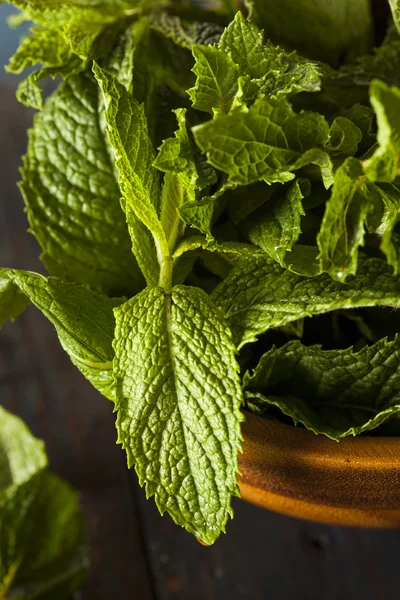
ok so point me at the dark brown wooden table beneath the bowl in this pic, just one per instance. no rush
(135, 553)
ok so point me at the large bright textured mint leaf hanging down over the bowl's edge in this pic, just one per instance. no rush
(178, 405)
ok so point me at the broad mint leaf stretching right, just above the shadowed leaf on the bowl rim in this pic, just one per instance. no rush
(259, 294)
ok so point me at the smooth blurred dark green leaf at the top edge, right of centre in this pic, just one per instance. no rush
(320, 29)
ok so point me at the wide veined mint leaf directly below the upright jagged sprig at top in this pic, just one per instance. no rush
(267, 142)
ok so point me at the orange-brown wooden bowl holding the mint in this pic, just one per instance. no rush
(297, 473)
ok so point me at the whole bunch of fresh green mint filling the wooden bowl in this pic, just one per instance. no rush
(199, 190)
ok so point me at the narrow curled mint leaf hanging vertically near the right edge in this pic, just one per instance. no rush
(353, 201)
